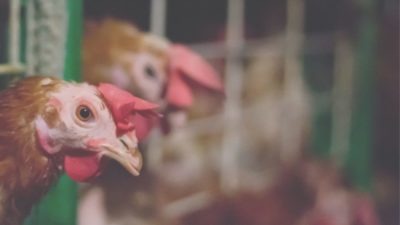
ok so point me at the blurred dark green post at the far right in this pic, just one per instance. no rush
(358, 162)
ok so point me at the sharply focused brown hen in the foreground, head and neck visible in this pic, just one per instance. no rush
(49, 126)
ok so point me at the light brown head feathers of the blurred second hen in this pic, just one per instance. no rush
(107, 43)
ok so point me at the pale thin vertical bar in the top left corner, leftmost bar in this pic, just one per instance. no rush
(14, 32)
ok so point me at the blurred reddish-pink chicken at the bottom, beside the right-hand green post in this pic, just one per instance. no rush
(335, 201)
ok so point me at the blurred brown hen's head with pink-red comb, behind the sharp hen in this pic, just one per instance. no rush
(147, 65)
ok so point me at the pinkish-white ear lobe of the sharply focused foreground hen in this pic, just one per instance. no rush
(43, 135)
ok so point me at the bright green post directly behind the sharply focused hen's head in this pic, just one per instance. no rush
(60, 204)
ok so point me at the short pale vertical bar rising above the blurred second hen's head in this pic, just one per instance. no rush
(158, 17)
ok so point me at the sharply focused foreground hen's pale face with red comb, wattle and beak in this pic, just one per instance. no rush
(84, 123)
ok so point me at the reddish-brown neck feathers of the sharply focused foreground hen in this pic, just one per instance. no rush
(26, 173)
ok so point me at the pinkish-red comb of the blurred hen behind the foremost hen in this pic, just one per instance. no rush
(186, 64)
